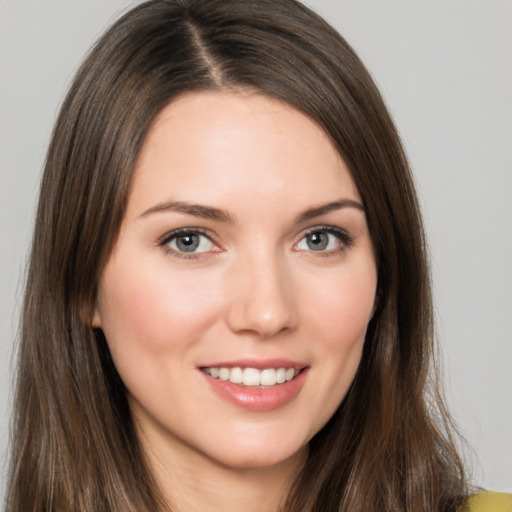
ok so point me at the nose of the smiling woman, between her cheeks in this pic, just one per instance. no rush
(262, 300)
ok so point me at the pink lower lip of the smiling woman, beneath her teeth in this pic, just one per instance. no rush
(258, 399)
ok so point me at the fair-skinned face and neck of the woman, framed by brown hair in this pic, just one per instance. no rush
(273, 269)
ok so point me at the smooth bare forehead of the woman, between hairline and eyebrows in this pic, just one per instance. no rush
(218, 146)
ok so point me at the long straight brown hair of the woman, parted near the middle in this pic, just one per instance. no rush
(389, 445)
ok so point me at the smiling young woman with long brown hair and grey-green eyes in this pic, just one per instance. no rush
(228, 300)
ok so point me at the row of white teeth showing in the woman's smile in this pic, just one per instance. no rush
(252, 376)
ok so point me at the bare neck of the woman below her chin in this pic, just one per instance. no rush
(191, 482)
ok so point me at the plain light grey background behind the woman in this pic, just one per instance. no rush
(445, 69)
